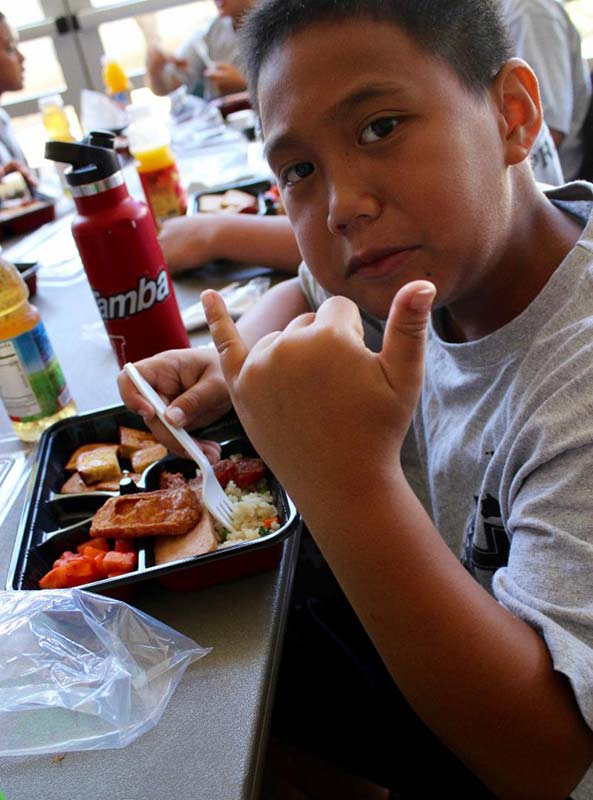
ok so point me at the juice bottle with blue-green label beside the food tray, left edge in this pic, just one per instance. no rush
(32, 384)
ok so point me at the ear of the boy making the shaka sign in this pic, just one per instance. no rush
(516, 93)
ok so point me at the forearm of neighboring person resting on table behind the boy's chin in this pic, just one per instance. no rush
(256, 240)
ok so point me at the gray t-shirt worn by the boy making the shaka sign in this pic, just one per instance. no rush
(501, 454)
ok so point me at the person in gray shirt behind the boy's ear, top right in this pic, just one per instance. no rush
(544, 35)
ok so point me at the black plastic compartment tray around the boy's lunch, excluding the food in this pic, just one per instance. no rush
(50, 525)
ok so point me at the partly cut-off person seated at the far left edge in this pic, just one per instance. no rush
(12, 158)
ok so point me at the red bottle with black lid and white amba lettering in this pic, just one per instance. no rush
(117, 241)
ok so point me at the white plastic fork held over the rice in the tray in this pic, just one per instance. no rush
(213, 496)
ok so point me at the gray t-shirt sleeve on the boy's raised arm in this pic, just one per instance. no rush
(548, 506)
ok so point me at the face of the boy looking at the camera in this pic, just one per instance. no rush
(390, 169)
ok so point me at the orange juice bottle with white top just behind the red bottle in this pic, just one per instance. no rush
(149, 138)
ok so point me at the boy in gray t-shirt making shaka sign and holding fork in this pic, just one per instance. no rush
(400, 134)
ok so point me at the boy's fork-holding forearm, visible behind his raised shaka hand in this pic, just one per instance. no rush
(273, 312)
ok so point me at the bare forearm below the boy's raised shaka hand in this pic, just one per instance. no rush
(481, 678)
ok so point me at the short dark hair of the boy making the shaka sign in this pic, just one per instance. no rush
(469, 35)
